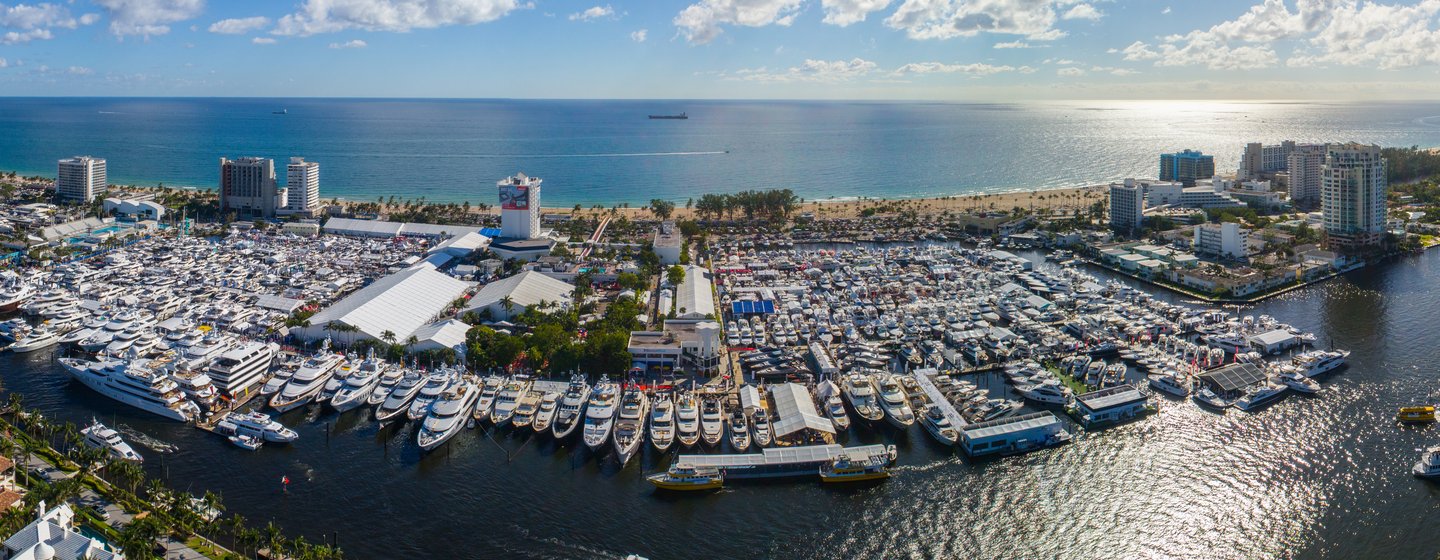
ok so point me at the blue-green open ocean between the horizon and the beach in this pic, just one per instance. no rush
(610, 153)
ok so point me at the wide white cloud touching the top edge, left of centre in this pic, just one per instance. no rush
(329, 17)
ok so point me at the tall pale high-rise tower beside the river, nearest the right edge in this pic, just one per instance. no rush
(1353, 195)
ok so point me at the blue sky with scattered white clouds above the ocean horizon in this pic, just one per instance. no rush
(747, 50)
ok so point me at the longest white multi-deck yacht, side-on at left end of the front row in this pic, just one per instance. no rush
(135, 384)
